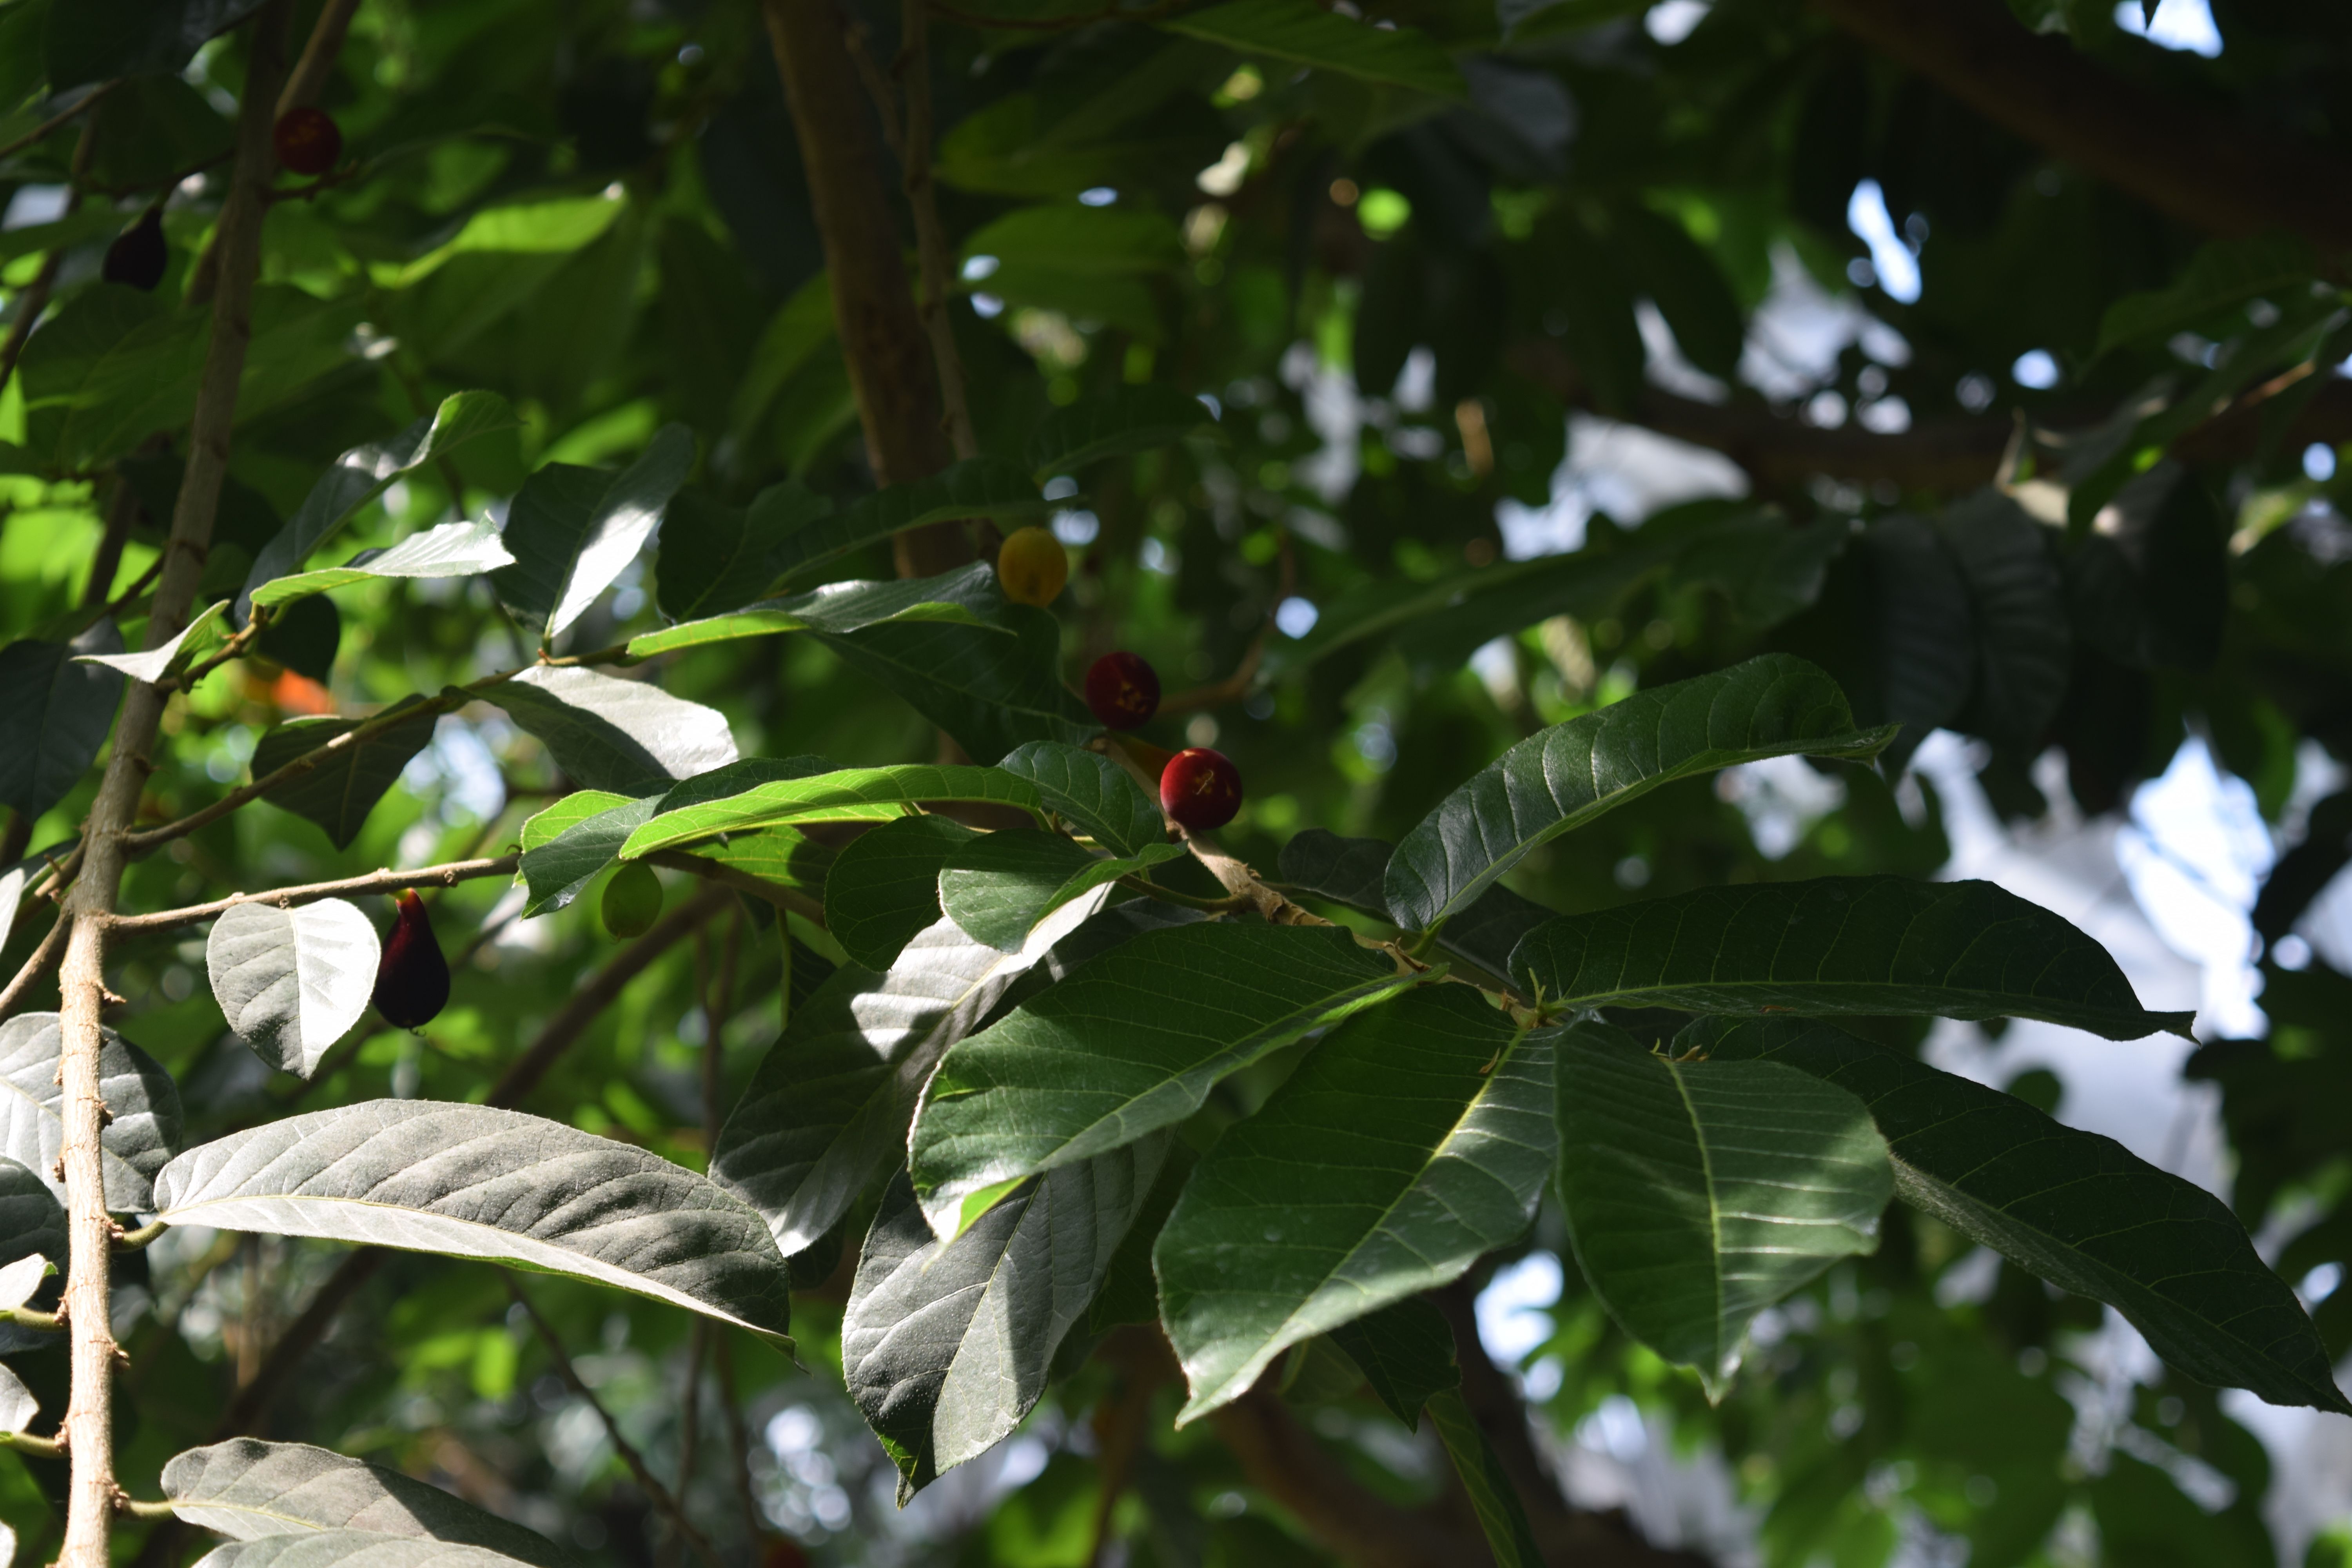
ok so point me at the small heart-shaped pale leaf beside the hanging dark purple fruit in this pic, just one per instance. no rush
(293, 981)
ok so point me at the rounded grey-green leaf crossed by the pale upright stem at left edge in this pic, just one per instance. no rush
(142, 1104)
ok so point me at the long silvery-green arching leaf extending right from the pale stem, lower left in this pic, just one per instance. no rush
(472, 1181)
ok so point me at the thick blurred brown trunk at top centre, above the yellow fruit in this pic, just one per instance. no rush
(874, 314)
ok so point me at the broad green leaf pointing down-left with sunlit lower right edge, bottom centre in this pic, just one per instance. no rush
(1405, 1146)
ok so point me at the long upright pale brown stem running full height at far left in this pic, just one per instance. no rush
(88, 1430)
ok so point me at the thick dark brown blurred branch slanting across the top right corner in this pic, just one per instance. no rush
(2210, 170)
